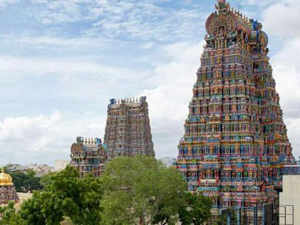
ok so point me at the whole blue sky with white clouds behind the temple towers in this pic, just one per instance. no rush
(62, 60)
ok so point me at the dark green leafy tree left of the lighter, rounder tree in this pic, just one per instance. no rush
(66, 196)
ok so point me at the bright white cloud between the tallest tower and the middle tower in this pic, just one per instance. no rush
(168, 101)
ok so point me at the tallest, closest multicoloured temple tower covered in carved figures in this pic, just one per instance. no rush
(235, 144)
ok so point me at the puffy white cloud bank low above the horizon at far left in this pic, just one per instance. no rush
(41, 139)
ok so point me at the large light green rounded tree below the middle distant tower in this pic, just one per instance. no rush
(141, 190)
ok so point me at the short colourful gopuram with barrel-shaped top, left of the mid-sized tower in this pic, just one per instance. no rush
(89, 156)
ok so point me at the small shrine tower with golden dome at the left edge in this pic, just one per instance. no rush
(7, 189)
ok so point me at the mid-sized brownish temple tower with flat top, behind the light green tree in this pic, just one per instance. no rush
(128, 130)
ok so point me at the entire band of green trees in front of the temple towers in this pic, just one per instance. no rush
(137, 190)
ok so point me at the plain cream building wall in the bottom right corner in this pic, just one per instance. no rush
(290, 197)
